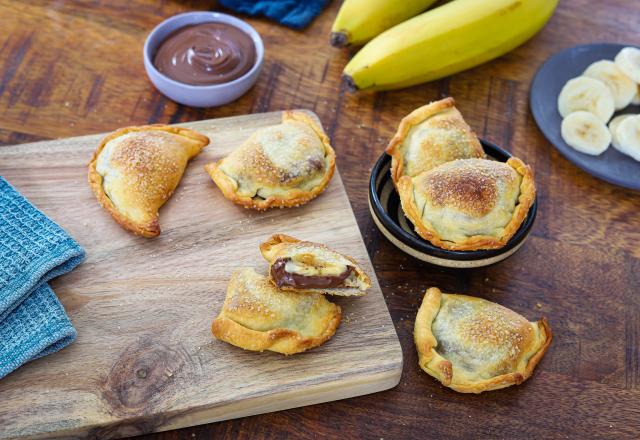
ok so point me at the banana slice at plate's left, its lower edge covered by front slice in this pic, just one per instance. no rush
(588, 94)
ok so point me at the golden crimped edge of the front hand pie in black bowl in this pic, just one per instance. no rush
(475, 242)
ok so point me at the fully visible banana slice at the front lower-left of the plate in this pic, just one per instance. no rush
(586, 133)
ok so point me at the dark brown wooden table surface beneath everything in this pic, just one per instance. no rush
(70, 68)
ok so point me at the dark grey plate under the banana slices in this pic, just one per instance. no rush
(612, 166)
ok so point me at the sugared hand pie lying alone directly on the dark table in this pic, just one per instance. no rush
(473, 345)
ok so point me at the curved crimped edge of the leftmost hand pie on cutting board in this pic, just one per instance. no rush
(151, 229)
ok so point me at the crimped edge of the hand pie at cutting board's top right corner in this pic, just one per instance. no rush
(300, 197)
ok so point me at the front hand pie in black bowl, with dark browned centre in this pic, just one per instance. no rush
(469, 204)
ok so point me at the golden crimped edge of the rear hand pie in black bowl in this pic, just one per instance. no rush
(407, 123)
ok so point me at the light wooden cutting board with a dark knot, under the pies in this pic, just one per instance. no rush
(145, 359)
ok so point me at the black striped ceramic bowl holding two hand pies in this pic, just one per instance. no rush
(384, 204)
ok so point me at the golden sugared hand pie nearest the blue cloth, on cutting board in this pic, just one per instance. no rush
(135, 170)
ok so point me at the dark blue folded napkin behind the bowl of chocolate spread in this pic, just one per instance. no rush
(293, 13)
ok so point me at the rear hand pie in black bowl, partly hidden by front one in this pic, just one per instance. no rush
(430, 136)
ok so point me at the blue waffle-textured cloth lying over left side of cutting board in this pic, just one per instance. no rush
(33, 250)
